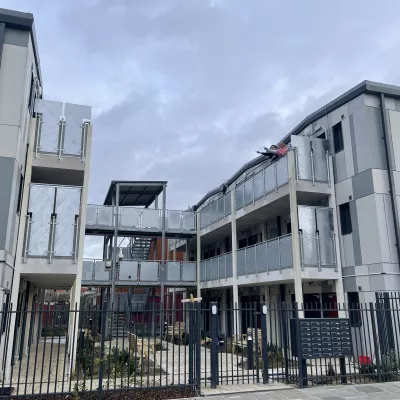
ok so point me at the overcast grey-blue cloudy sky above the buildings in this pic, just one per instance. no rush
(187, 90)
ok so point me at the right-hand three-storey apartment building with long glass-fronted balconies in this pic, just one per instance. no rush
(317, 226)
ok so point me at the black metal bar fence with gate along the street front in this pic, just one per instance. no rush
(193, 346)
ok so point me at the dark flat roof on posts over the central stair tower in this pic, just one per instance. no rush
(135, 193)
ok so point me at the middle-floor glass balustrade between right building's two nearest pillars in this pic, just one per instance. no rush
(275, 254)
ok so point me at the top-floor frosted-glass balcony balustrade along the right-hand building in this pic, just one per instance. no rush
(311, 163)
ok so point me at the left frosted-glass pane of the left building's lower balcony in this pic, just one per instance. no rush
(41, 206)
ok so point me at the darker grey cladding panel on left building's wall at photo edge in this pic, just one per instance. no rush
(6, 179)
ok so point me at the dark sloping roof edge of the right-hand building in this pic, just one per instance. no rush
(365, 87)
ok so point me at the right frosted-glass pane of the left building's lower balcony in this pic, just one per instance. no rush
(68, 201)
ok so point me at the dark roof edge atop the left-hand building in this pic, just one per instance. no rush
(23, 21)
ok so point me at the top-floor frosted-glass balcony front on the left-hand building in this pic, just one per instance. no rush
(61, 129)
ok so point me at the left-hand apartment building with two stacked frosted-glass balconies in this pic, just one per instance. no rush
(44, 167)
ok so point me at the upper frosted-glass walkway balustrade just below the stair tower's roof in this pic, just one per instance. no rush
(139, 220)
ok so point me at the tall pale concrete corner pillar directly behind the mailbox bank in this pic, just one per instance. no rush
(297, 272)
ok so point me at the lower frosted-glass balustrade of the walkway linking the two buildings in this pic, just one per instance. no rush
(144, 273)
